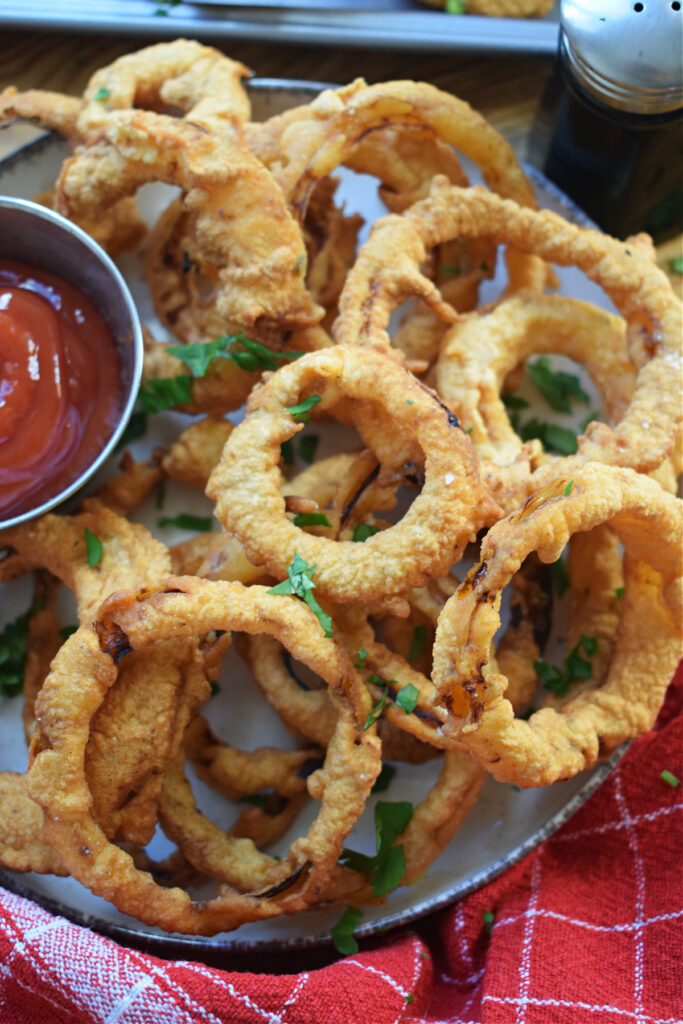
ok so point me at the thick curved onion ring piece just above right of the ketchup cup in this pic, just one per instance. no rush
(247, 232)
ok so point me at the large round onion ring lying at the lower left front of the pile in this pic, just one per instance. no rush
(86, 669)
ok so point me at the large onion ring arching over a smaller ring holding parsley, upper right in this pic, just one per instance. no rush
(650, 430)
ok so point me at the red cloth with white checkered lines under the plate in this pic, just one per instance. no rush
(586, 929)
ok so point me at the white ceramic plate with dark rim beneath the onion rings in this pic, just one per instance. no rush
(504, 825)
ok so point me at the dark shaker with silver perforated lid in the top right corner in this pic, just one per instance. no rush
(610, 130)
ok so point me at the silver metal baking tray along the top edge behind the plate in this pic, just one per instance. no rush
(392, 24)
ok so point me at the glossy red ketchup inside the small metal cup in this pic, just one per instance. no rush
(60, 386)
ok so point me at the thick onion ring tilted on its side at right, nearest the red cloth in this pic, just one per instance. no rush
(557, 745)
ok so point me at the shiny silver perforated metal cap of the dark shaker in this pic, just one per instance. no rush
(628, 55)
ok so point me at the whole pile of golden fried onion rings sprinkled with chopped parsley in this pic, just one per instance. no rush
(347, 583)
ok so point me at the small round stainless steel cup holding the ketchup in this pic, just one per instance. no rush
(32, 234)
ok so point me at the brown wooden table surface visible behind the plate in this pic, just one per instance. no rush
(506, 90)
